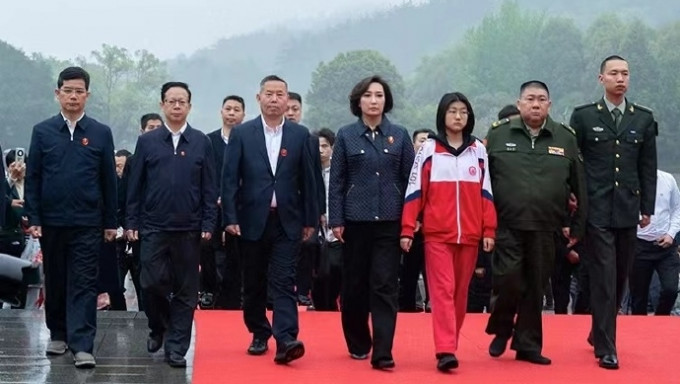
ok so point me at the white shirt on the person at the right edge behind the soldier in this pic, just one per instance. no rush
(666, 218)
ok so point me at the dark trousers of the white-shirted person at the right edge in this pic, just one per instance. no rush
(649, 257)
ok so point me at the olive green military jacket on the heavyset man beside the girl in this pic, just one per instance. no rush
(532, 178)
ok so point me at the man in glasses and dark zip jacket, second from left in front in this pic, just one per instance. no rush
(172, 198)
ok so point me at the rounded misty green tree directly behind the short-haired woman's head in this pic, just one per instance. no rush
(332, 82)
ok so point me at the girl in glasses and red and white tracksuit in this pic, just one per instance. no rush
(449, 191)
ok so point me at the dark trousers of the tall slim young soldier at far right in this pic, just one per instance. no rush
(609, 255)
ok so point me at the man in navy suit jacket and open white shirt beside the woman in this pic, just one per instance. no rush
(269, 199)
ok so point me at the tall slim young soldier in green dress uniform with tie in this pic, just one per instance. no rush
(618, 141)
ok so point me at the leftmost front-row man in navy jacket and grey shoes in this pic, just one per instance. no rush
(71, 207)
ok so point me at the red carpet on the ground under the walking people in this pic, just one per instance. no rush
(648, 353)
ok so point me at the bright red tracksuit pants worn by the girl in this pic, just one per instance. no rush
(449, 269)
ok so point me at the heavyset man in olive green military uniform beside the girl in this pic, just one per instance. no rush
(534, 165)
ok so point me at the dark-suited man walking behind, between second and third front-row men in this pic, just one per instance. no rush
(220, 267)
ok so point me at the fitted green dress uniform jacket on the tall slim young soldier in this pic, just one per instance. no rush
(620, 164)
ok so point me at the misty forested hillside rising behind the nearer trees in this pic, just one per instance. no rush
(404, 34)
